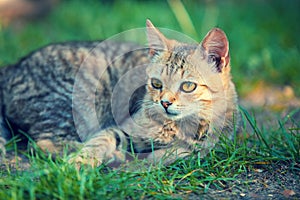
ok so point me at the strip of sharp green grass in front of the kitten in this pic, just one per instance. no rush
(56, 179)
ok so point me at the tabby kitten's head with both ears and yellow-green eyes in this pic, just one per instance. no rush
(182, 78)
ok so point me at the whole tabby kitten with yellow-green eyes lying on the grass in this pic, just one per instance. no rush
(109, 98)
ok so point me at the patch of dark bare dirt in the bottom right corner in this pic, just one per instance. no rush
(277, 181)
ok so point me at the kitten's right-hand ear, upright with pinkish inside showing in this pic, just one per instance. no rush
(216, 47)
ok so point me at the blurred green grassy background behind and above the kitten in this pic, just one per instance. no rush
(263, 34)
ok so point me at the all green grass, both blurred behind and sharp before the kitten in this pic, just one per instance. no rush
(264, 45)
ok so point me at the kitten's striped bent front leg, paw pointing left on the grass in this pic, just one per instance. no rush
(107, 145)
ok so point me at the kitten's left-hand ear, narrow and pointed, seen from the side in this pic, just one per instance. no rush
(157, 41)
